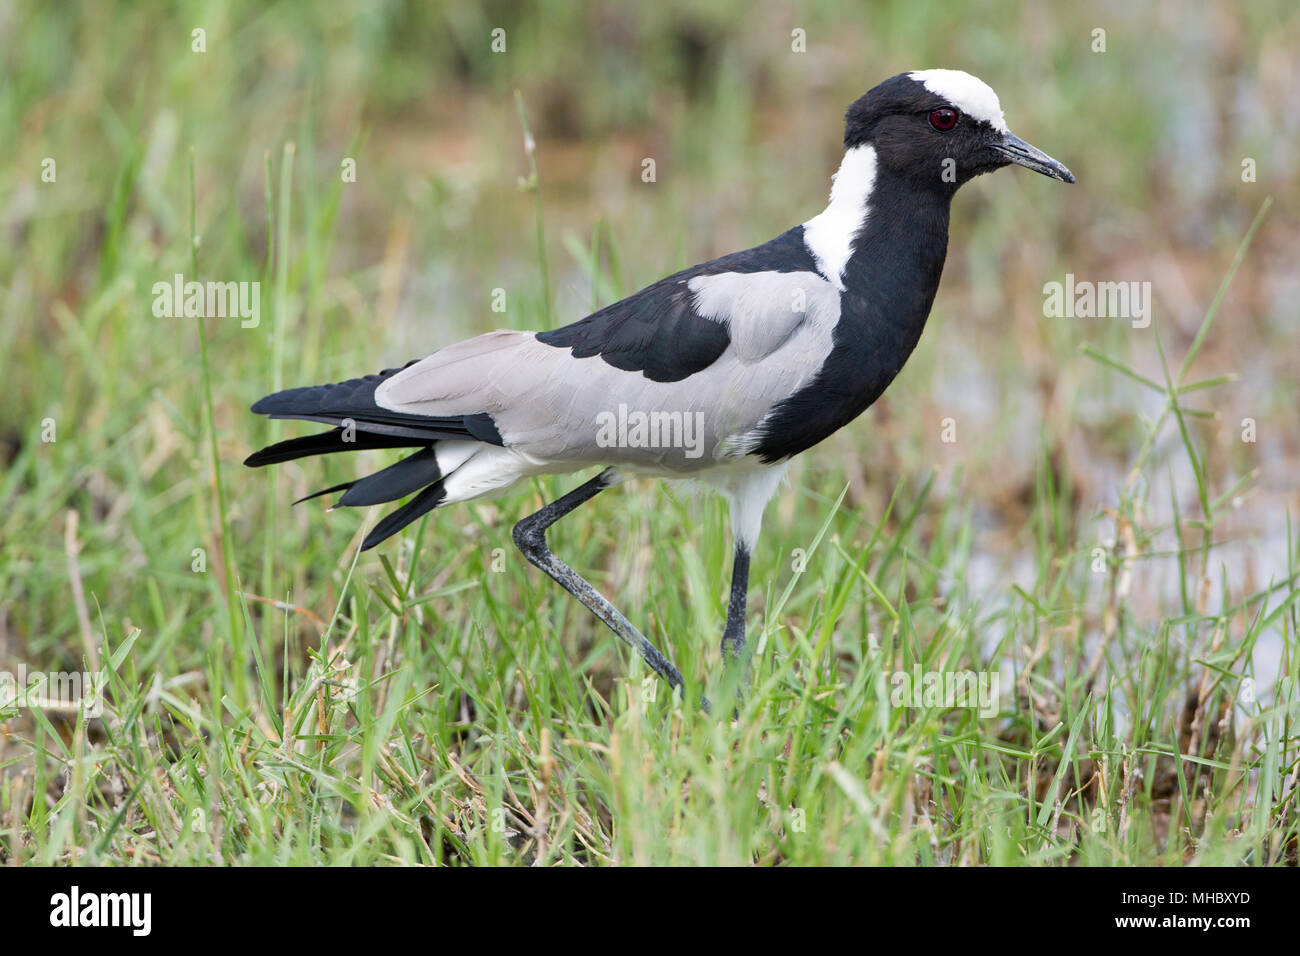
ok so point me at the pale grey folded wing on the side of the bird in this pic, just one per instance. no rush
(556, 400)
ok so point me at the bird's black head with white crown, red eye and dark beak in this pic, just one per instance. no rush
(941, 129)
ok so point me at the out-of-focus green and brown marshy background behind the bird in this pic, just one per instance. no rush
(1156, 107)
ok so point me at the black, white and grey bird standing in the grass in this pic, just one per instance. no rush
(721, 373)
